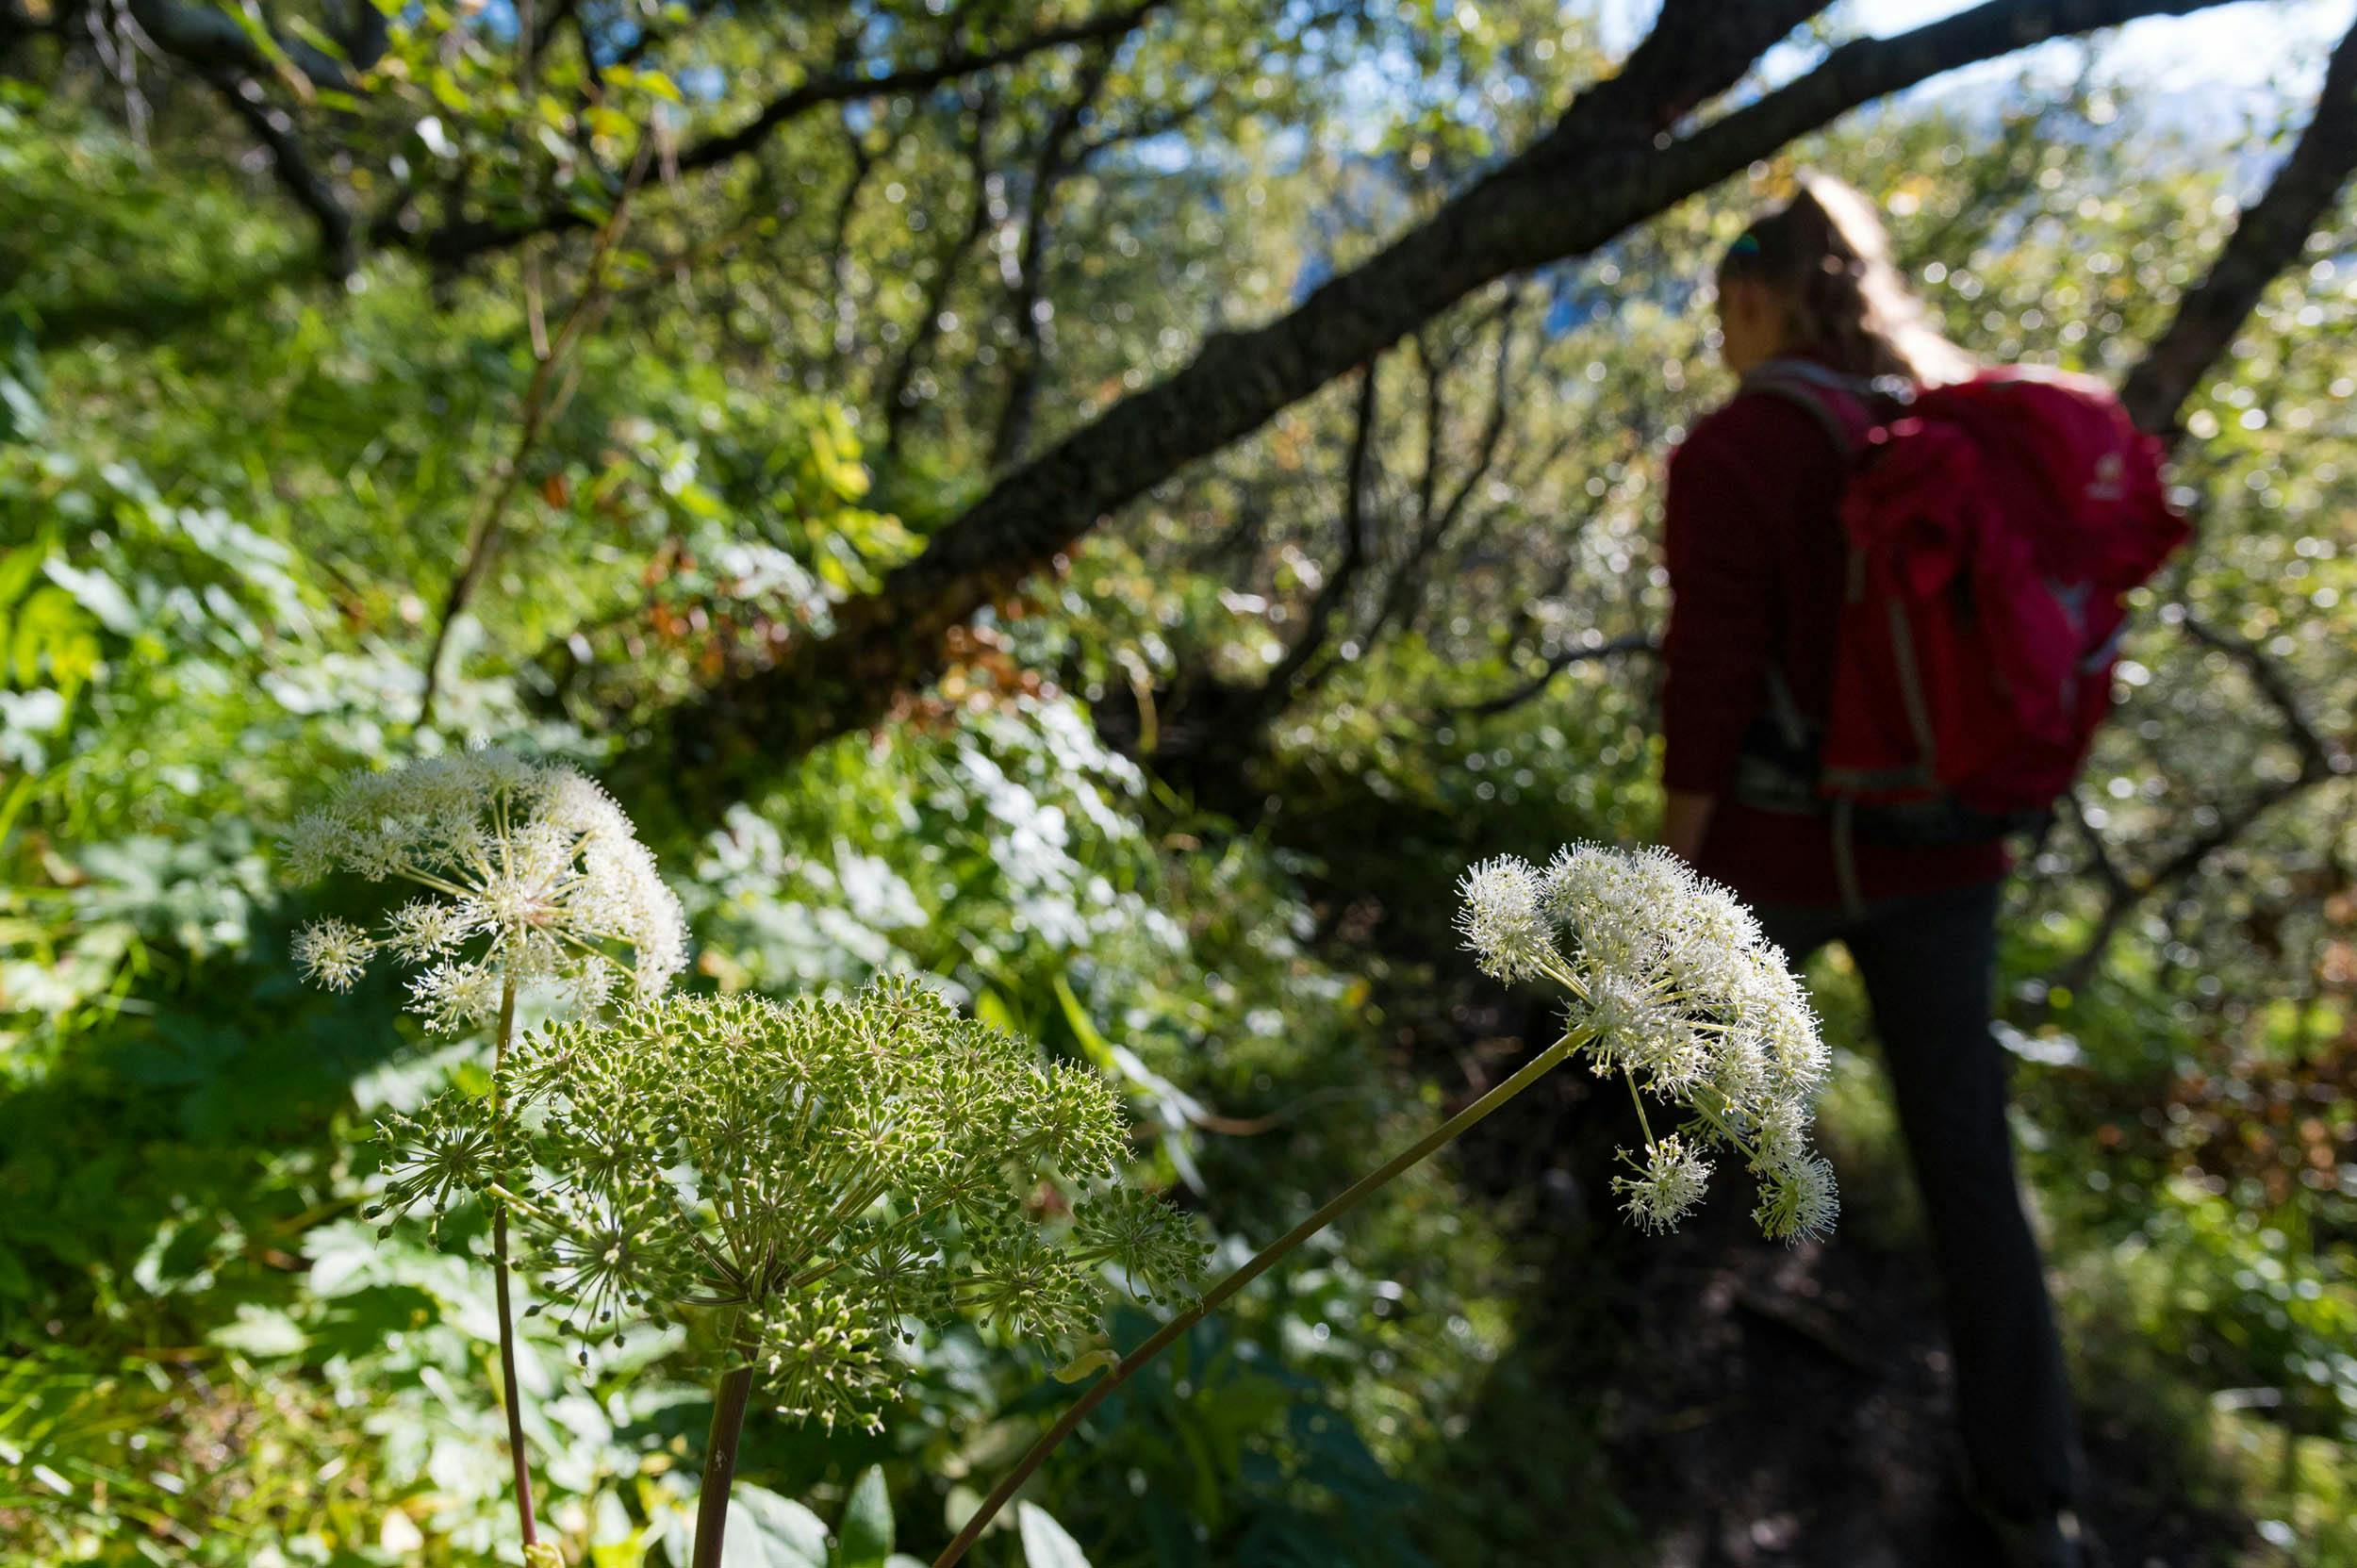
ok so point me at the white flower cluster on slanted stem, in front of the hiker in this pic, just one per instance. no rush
(1677, 991)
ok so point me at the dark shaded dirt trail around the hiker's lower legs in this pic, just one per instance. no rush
(1797, 1411)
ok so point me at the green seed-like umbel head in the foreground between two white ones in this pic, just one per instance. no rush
(824, 1175)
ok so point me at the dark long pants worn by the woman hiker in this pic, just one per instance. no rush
(1929, 966)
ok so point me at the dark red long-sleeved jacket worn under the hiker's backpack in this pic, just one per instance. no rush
(1757, 577)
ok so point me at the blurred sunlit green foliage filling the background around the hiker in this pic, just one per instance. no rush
(235, 503)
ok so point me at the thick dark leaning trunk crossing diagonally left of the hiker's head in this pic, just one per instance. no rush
(1595, 176)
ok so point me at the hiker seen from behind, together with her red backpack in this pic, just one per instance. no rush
(1884, 855)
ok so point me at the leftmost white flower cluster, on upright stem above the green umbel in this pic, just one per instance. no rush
(532, 876)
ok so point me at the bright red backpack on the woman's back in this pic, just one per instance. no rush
(1995, 529)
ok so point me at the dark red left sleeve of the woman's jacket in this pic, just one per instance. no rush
(1722, 536)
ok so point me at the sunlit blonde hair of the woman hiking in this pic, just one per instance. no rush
(1828, 258)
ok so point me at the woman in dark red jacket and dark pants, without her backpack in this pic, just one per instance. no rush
(1828, 341)
